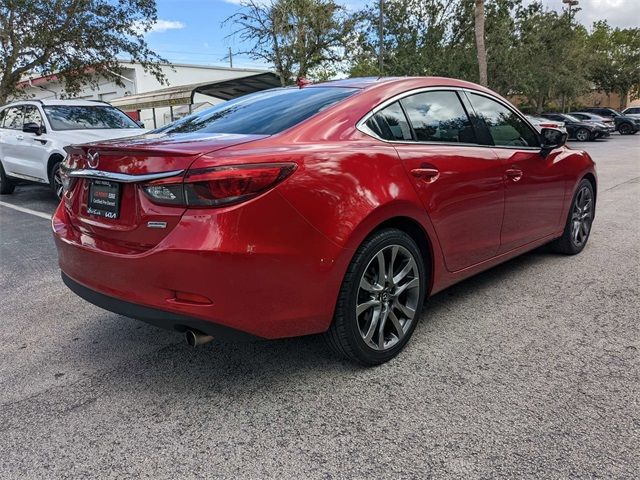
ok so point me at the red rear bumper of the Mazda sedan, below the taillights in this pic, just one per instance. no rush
(259, 268)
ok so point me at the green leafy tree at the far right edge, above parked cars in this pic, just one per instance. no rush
(616, 60)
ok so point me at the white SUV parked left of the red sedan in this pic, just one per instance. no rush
(33, 135)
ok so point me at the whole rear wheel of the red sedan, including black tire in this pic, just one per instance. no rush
(346, 335)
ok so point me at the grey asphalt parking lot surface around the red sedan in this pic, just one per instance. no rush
(528, 370)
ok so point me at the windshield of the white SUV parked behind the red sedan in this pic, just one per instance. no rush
(74, 117)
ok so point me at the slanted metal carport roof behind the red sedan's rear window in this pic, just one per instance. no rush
(183, 94)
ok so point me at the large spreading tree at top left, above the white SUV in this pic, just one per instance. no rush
(78, 40)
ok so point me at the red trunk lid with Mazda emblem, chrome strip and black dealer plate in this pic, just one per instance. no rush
(105, 200)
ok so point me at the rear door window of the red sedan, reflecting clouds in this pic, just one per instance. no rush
(438, 117)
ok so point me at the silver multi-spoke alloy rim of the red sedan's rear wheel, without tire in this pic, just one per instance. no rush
(387, 297)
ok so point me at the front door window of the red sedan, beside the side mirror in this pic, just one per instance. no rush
(506, 128)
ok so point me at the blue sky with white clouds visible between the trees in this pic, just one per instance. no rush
(190, 31)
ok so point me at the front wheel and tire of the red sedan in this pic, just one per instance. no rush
(571, 243)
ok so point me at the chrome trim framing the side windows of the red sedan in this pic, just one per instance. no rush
(361, 124)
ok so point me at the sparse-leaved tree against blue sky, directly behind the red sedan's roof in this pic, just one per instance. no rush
(295, 36)
